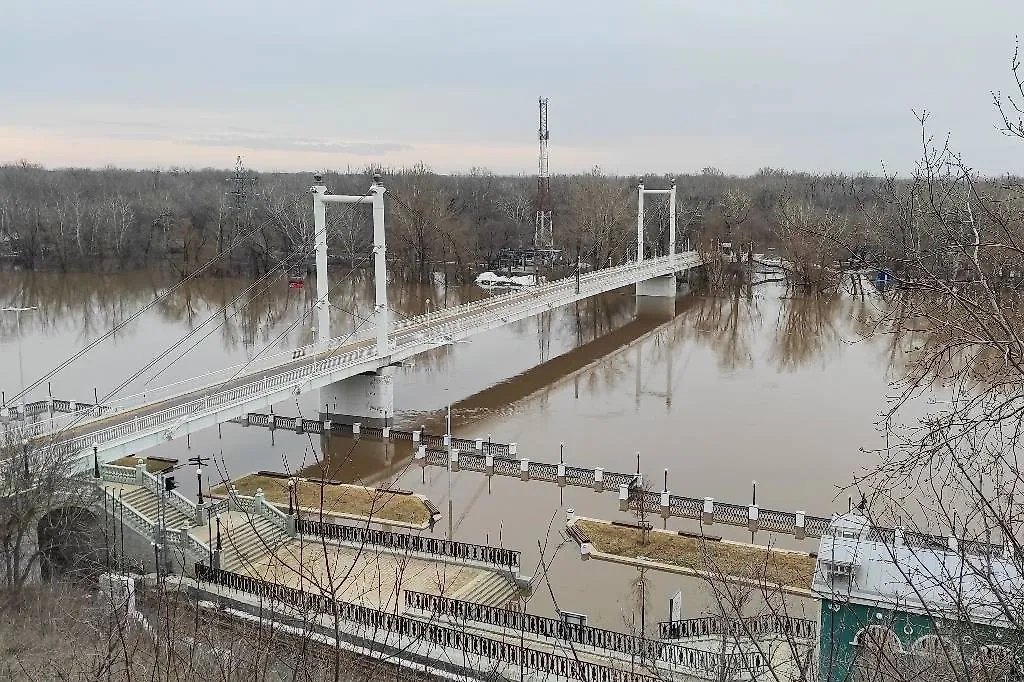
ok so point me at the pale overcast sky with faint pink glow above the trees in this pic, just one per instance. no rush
(636, 87)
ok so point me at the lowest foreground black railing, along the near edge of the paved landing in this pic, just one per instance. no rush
(377, 624)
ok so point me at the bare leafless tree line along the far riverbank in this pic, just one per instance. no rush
(249, 224)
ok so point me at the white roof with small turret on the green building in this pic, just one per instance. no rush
(919, 574)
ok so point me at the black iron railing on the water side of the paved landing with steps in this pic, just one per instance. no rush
(404, 542)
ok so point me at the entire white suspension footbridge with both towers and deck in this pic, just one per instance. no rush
(353, 373)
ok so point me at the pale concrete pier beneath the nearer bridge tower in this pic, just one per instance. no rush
(367, 399)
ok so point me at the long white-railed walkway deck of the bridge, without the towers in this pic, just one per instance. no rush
(144, 420)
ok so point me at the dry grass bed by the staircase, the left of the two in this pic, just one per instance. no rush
(338, 499)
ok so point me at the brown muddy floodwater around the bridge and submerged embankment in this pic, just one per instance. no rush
(763, 386)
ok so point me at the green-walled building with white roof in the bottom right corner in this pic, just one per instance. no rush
(901, 606)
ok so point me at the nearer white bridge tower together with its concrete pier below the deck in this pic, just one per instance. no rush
(367, 398)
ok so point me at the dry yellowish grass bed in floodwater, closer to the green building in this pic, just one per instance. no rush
(750, 563)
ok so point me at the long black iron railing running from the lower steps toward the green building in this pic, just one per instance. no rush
(712, 665)
